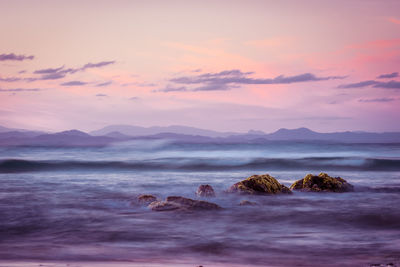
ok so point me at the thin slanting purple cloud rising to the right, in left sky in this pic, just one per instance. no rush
(61, 72)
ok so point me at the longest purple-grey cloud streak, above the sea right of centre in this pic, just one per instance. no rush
(229, 79)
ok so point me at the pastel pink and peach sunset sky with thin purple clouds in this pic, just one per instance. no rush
(221, 65)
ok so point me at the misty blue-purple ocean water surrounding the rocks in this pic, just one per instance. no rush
(74, 204)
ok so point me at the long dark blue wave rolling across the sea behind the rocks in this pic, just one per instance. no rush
(208, 164)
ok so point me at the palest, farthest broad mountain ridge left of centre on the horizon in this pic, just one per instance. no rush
(143, 131)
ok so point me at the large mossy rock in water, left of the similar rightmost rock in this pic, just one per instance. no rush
(259, 184)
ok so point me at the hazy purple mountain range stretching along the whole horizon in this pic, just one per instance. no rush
(184, 134)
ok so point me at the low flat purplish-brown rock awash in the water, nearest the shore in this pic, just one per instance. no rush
(182, 204)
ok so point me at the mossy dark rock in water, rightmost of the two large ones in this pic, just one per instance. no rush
(322, 183)
